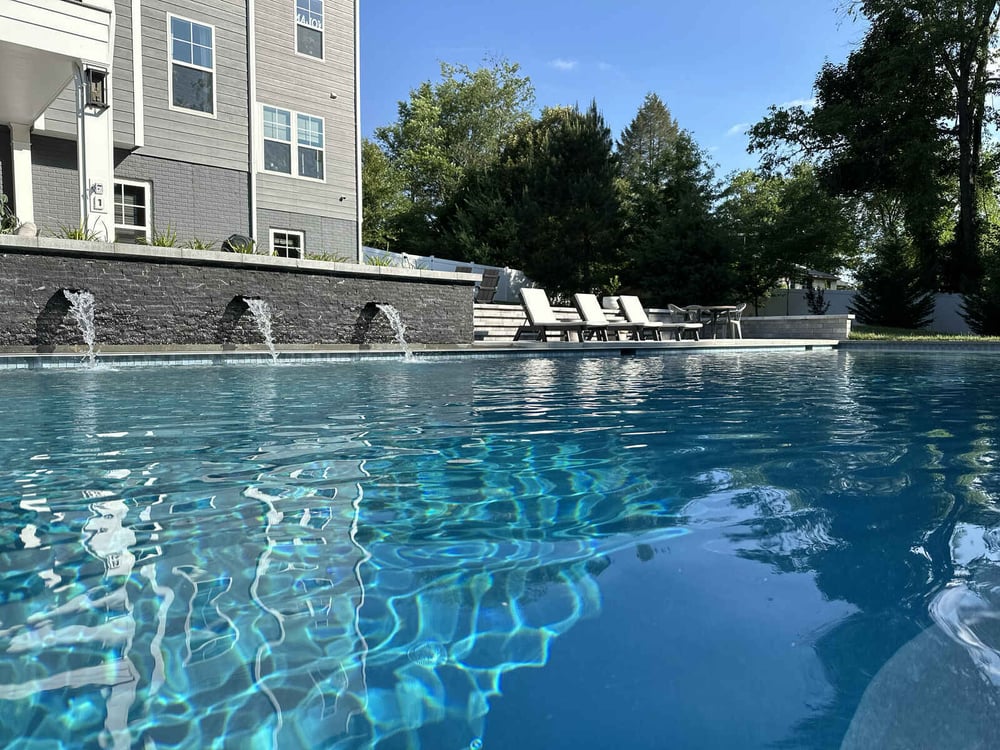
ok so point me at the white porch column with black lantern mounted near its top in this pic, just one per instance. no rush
(95, 154)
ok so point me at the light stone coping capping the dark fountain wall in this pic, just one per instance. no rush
(151, 253)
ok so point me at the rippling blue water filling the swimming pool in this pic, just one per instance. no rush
(742, 550)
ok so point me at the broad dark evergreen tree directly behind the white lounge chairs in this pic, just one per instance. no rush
(548, 206)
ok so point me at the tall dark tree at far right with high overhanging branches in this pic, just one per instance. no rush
(904, 116)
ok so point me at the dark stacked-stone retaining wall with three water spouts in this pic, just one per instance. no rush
(163, 297)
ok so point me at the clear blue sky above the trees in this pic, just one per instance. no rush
(717, 64)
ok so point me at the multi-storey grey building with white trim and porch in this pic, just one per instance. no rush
(137, 118)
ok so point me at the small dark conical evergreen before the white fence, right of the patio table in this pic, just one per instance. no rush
(891, 291)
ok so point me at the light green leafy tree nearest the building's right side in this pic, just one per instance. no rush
(447, 130)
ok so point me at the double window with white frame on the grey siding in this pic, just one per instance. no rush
(293, 141)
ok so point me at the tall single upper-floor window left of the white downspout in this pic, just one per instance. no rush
(192, 66)
